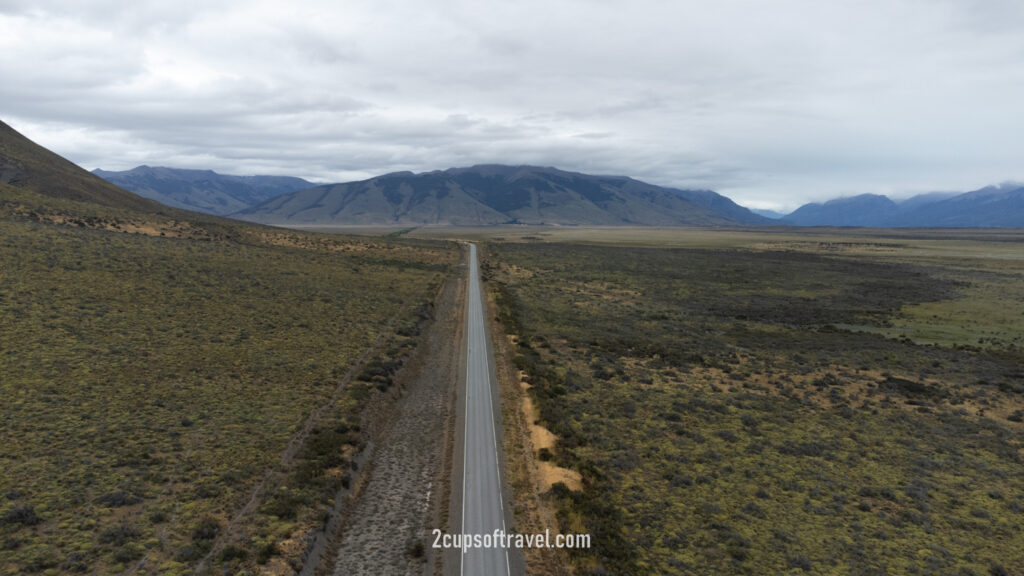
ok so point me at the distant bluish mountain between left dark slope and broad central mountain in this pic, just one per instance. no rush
(204, 191)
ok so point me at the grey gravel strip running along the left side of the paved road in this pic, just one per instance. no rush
(405, 498)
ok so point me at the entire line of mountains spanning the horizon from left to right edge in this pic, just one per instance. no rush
(478, 196)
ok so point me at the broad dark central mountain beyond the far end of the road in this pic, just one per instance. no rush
(496, 195)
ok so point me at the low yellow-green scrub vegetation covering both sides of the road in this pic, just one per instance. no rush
(738, 403)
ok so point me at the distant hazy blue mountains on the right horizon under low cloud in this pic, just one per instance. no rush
(996, 207)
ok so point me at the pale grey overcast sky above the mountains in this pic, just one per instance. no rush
(773, 103)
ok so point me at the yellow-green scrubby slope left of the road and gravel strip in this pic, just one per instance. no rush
(150, 382)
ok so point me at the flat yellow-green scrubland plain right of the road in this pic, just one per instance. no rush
(723, 427)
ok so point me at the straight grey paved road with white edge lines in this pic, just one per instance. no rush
(483, 511)
